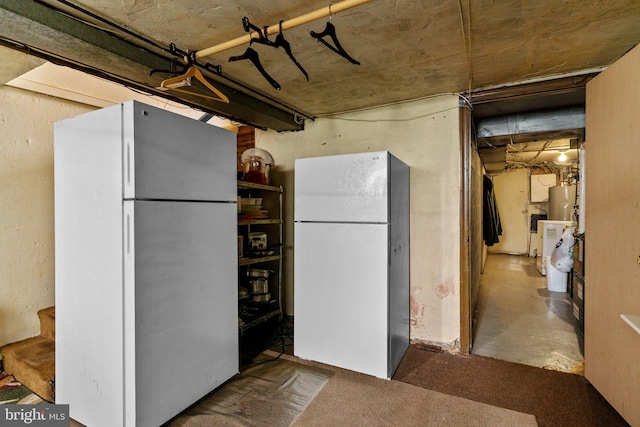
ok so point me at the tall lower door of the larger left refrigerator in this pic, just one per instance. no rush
(181, 320)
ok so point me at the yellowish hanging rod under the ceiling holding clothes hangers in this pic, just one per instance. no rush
(286, 25)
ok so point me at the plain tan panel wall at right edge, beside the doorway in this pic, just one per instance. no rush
(612, 233)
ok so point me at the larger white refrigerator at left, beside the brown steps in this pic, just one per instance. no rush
(146, 276)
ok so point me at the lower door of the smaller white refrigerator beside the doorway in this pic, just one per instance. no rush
(341, 296)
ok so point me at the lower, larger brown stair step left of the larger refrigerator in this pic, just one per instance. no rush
(32, 362)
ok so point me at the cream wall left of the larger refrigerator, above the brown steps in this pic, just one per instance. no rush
(26, 203)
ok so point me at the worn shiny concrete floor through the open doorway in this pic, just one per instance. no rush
(519, 320)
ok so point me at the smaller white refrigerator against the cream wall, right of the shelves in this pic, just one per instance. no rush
(351, 261)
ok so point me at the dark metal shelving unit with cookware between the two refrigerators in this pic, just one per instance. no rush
(251, 312)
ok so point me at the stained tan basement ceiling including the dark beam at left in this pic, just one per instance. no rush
(407, 49)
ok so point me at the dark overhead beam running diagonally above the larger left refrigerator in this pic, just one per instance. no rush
(40, 30)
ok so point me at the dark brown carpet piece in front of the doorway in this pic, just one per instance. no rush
(555, 398)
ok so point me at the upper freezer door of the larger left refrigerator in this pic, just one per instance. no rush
(168, 156)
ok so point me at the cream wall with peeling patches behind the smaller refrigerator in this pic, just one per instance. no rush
(425, 135)
